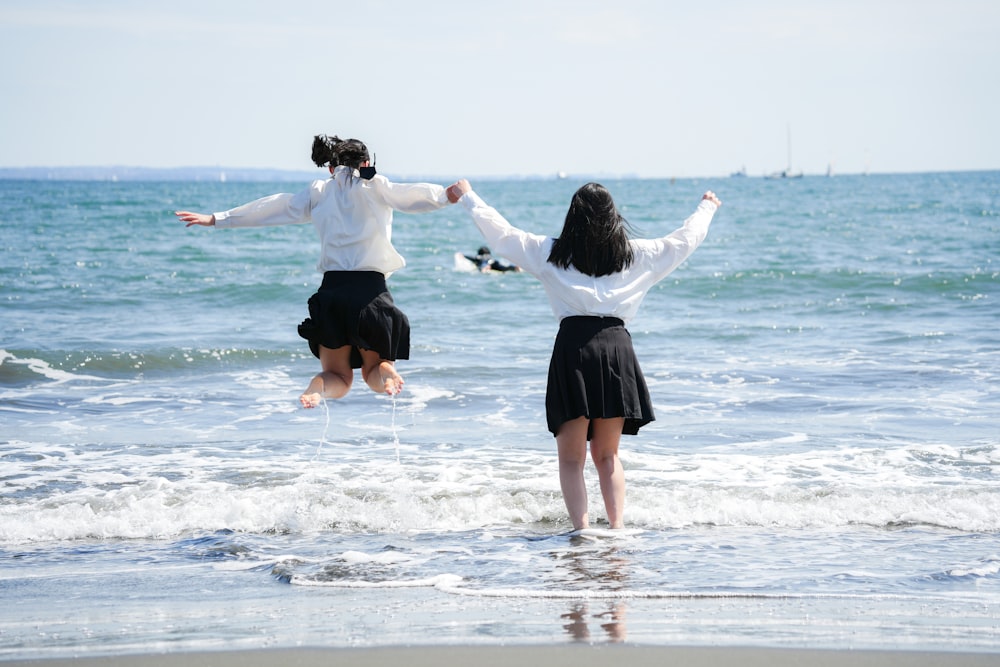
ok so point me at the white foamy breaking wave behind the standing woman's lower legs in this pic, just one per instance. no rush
(154, 492)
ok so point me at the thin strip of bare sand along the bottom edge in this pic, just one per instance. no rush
(530, 656)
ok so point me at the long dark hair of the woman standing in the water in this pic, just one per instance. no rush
(594, 239)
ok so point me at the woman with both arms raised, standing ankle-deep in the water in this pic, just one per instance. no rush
(595, 277)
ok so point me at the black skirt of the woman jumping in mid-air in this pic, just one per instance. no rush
(355, 308)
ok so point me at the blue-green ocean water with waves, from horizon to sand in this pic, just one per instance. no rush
(824, 470)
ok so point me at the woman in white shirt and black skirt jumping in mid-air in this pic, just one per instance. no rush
(353, 321)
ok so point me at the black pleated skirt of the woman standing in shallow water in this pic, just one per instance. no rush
(594, 373)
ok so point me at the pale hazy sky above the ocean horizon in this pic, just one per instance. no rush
(653, 88)
